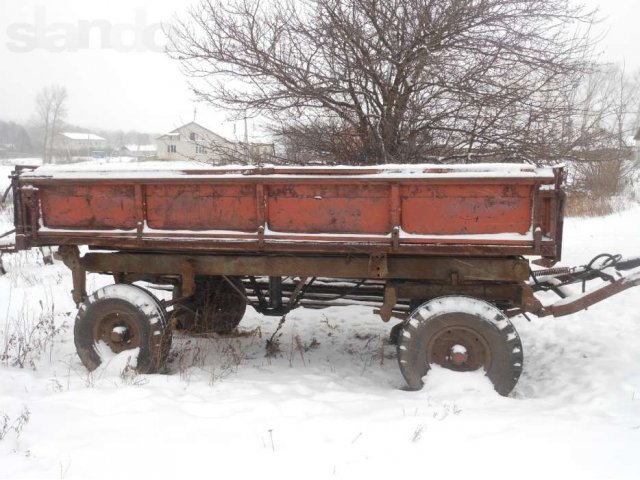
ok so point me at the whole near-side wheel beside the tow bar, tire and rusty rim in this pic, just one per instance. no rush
(461, 334)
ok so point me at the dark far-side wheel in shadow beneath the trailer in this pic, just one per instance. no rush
(217, 306)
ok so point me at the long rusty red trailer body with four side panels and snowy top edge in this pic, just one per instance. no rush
(469, 210)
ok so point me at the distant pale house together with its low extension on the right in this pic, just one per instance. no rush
(195, 142)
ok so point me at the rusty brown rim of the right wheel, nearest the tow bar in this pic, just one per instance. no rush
(458, 348)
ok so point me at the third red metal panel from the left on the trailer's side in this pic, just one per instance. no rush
(325, 208)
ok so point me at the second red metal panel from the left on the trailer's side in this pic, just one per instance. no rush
(202, 207)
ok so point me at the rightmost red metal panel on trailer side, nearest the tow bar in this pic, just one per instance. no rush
(466, 209)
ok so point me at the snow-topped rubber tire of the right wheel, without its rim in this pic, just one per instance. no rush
(432, 316)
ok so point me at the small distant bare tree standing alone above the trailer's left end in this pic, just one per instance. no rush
(51, 111)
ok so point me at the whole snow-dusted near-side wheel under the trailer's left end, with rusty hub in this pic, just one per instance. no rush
(123, 317)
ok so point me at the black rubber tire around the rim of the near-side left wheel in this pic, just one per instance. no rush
(142, 307)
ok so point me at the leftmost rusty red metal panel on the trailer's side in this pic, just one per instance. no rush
(88, 207)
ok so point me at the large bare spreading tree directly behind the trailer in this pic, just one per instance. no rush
(390, 80)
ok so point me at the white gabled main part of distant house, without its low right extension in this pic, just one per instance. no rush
(192, 142)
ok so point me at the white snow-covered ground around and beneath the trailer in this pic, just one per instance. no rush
(333, 409)
